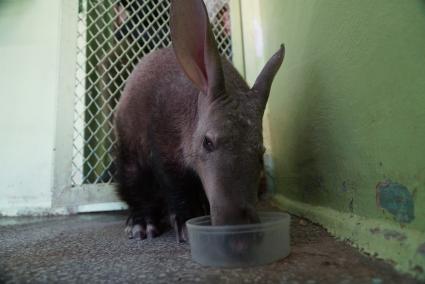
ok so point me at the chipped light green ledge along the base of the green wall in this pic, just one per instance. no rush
(381, 239)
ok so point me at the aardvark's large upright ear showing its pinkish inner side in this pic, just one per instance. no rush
(195, 46)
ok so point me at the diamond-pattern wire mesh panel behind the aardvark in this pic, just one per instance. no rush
(113, 35)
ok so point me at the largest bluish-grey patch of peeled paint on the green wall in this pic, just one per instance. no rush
(396, 199)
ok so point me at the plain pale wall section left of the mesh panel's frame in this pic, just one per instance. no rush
(29, 68)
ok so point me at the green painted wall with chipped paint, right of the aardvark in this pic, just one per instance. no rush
(347, 117)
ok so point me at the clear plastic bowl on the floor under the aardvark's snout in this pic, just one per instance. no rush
(239, 245)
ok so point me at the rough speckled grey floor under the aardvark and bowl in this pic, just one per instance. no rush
(92, 248)
